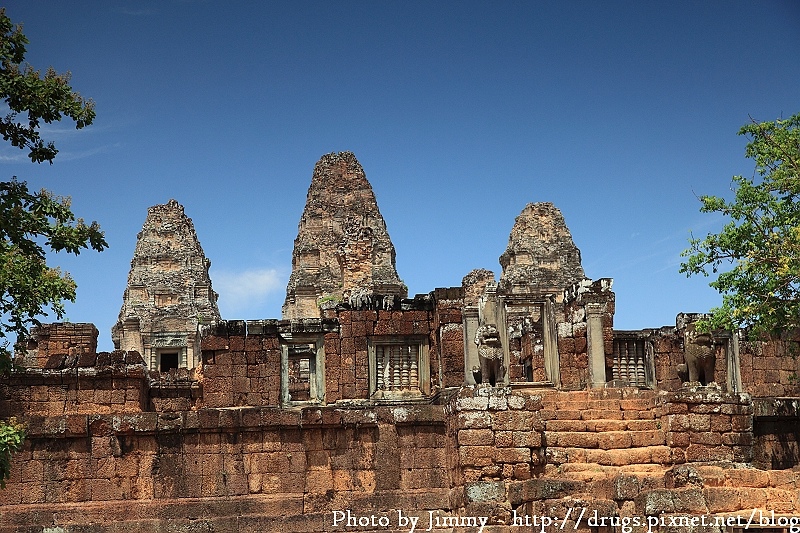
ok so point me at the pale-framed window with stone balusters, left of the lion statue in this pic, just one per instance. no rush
(399, 368)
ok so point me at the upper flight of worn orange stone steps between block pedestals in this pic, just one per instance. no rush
(589, 434)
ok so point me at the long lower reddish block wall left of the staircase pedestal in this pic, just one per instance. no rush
(240, 463)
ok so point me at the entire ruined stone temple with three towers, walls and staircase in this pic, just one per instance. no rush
(488, 406)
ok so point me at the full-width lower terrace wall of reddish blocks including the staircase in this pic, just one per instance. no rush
(485, 452)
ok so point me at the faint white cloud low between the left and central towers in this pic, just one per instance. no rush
(242, 294)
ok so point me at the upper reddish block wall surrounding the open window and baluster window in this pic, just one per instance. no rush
(242, 361)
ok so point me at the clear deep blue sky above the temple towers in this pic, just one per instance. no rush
(619, 113)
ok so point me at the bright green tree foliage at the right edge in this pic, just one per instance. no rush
(756, 255)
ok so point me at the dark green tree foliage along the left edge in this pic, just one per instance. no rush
(33, 223)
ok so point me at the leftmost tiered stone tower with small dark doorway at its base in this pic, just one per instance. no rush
(169, 294)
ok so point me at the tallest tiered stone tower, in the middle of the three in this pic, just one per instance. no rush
(342, 246)
